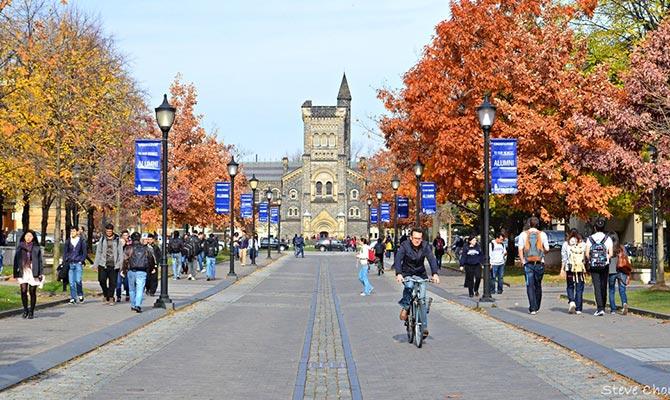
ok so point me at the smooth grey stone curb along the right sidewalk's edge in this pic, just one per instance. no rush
(636, 370)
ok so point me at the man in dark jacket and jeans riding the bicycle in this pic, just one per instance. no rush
(409, 261)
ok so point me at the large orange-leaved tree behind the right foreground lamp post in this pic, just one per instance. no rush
(524, 54)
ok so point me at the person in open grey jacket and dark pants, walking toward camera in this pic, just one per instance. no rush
(109, 261)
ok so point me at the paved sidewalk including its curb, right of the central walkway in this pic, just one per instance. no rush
(634, 346)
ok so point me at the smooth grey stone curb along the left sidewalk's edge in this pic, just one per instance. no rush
(13, 374)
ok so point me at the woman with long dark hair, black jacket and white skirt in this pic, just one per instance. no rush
(29, 270)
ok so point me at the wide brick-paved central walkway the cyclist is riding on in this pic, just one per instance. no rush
(299, 329)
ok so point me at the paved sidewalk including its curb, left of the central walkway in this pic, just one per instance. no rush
(60, 333)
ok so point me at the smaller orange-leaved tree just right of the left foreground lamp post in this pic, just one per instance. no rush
(196, 161)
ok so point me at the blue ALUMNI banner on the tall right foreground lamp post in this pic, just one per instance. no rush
(503, 166)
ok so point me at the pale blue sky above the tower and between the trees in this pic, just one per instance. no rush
(255, 62)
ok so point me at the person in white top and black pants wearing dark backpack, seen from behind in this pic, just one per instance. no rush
(599, 251)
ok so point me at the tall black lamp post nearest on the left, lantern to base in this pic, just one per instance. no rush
(165, 114)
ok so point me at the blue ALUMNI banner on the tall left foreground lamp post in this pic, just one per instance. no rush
(147, 167)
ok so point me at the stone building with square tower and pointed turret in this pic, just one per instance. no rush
(321, 193)
